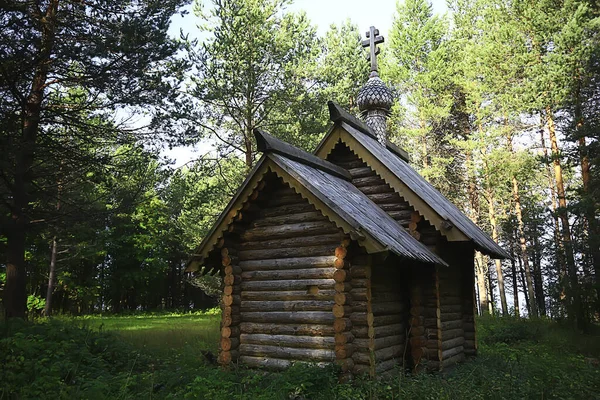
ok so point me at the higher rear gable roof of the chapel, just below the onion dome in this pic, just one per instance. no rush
(441, 212)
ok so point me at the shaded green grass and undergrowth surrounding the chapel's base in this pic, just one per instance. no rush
(159, 357)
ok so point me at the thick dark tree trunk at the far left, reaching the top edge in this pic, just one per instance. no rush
(15, 295)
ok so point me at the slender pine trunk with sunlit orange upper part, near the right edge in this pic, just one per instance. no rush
(576, 309)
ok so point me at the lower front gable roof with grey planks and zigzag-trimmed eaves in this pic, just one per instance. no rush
(330, 191)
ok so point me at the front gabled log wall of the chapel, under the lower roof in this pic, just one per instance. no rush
(282, 291)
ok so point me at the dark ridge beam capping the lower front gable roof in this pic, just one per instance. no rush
(269, 144)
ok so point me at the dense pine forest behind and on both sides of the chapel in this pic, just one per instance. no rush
(498, 105)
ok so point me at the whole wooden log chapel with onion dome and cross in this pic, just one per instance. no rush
(346, 255)
